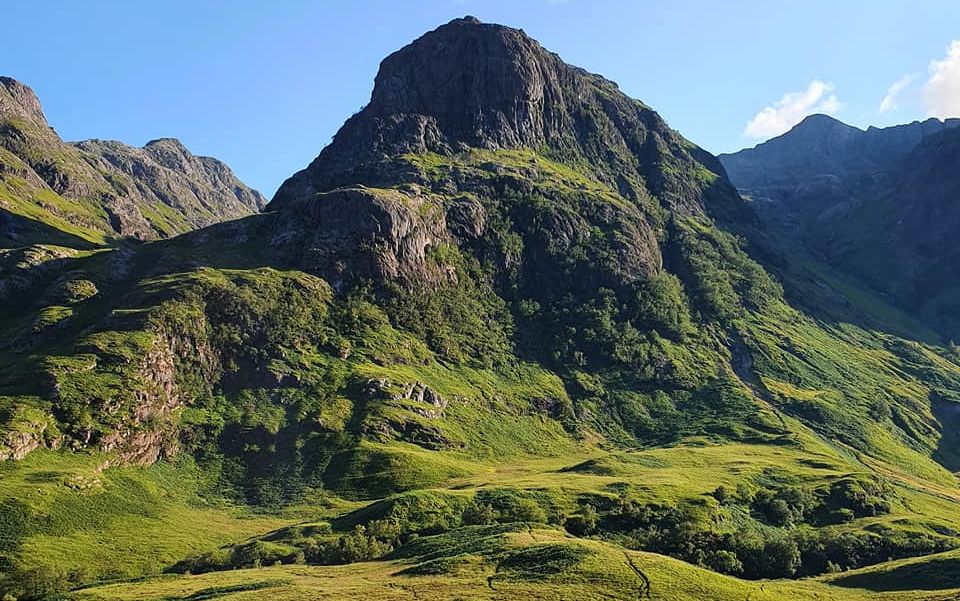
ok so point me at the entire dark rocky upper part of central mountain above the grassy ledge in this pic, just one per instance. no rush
(469, 85)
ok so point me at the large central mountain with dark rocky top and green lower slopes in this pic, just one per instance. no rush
(505, 329)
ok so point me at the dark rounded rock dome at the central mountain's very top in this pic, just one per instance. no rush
(486, 86)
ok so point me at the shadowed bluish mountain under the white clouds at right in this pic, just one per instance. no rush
(877, 204)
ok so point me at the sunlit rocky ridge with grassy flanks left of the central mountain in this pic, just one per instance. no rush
(80, 193)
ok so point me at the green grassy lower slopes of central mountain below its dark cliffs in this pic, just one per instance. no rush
(289, 412)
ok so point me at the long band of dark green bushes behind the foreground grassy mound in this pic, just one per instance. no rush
(780, 542)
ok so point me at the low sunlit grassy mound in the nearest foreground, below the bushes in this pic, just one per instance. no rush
(498, 563)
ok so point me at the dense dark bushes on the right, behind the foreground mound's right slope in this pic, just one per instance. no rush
(780, 543)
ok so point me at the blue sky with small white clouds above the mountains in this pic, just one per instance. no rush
(264, 85)
